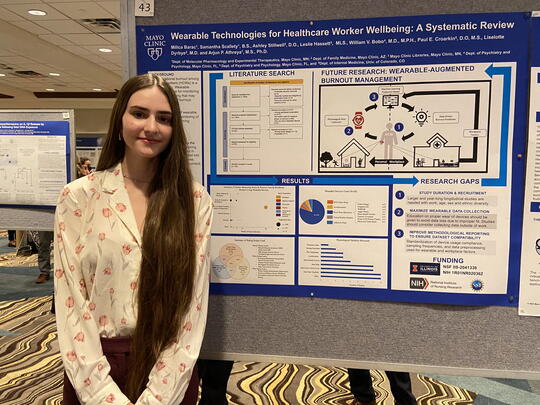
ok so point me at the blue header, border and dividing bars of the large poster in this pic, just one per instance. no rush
(478, 49)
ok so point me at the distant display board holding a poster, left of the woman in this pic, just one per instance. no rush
(35, 163)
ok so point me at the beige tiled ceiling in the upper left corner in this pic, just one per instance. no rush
(61, 30)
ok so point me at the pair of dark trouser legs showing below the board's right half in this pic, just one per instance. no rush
(362, 387)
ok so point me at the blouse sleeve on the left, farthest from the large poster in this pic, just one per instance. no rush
(78, 334)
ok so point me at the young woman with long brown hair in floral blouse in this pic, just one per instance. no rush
(131, 259)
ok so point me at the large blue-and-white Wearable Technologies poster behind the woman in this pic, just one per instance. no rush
(367, 158)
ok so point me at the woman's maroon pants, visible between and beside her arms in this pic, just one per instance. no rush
(117, 352)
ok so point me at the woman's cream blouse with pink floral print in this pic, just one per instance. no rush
(97, 258)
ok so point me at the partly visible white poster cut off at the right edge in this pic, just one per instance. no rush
(529, 302)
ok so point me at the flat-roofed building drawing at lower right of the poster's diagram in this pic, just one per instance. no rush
(437, 153)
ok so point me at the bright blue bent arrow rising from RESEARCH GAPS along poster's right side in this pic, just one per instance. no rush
(506, 73)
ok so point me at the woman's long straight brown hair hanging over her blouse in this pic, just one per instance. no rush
(165, 284)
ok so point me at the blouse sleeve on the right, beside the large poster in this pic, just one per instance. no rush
(169, 378)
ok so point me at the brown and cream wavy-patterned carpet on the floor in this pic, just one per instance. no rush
(31, 370)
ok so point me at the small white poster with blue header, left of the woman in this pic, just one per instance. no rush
(34, 158)
